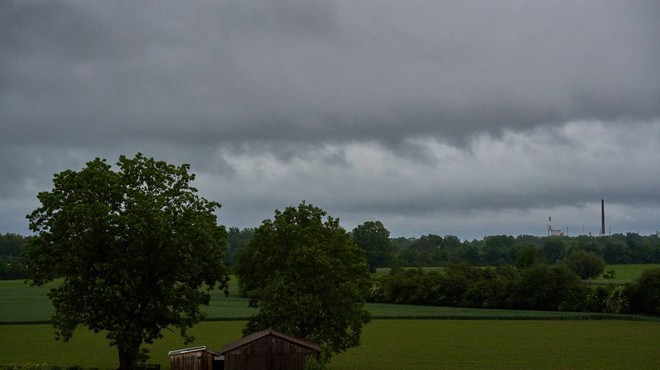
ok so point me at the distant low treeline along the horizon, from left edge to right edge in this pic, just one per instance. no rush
(433, 250)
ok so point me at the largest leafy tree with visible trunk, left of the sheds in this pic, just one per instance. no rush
(131, 249)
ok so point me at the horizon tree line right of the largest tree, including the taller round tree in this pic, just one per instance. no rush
(497, 250)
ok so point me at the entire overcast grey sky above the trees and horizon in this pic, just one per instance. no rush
(464, 118)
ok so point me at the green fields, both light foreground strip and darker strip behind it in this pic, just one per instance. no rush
(464, 338)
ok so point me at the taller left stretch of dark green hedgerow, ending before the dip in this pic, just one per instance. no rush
(539, 287)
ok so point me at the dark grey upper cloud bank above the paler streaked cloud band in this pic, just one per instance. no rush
(297, 70)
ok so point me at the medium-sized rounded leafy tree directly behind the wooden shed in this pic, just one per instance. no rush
(307, 278)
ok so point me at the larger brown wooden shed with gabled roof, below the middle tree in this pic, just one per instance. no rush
(268, 350)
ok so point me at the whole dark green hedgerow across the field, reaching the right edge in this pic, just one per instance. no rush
(536, 287)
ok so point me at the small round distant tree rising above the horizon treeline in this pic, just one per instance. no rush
(374, 239)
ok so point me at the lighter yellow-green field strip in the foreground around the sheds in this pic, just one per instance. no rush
(394, 344)
